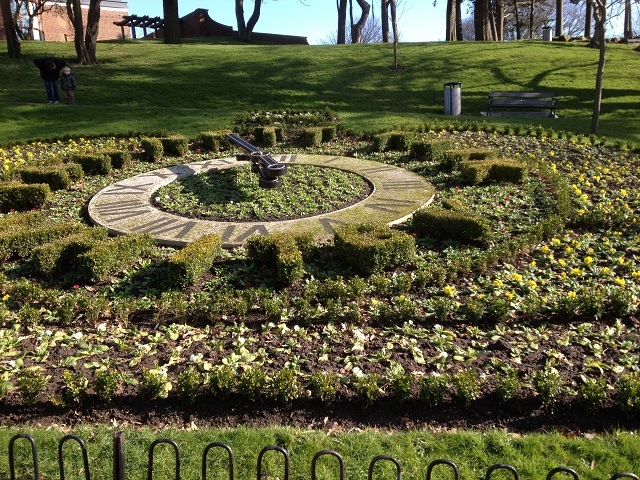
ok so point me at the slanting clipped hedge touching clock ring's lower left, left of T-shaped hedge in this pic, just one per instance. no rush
(186, 266)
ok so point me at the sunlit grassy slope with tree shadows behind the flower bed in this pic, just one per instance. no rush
(189, 88)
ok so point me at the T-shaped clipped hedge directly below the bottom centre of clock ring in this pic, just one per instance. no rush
(283, 252)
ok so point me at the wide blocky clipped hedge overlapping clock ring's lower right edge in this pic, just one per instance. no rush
(371, 248)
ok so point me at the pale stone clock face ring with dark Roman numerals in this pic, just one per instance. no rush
(125, 207)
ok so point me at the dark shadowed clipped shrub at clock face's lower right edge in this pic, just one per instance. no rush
(450, 224)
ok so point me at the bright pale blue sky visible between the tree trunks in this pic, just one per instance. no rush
(418, 20)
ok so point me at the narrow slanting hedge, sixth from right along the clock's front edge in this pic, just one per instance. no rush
(59, 256)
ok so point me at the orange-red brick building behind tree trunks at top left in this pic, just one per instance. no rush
(53, 24)
